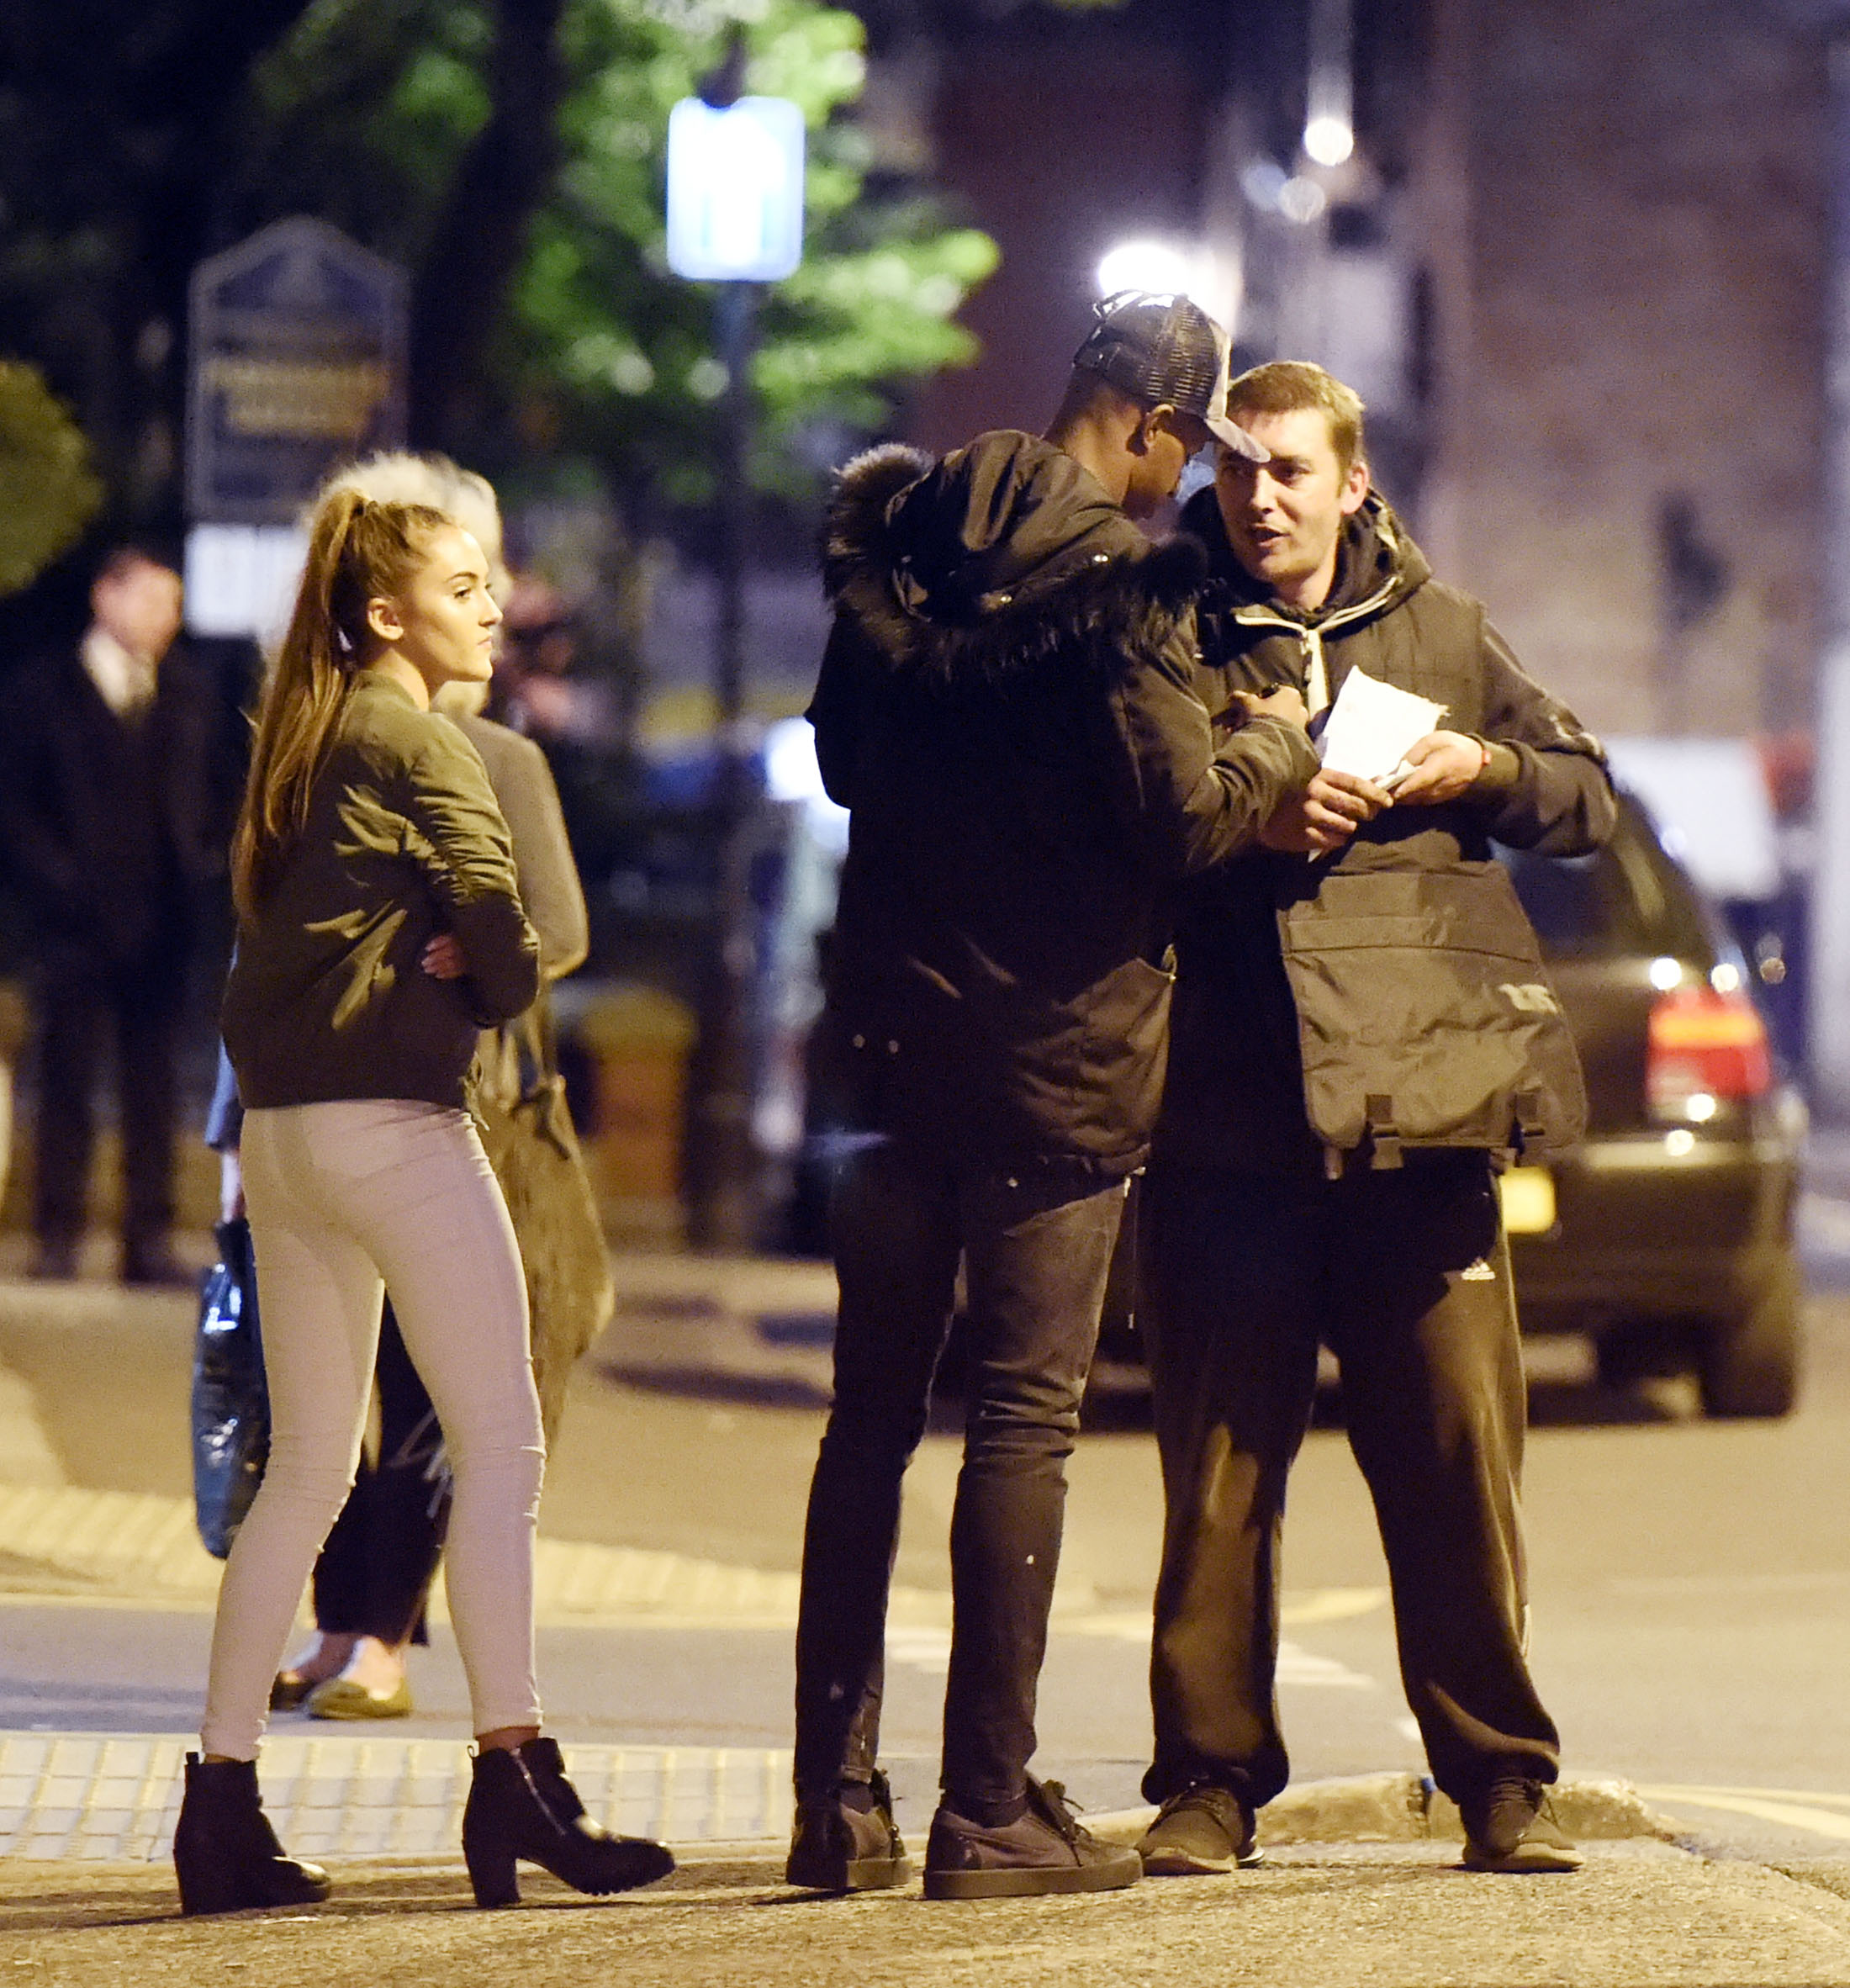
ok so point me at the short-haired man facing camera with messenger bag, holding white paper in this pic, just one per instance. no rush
(1374, 1230)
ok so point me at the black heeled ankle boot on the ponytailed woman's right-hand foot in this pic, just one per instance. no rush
(524, 1806)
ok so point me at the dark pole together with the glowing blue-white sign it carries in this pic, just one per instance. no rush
(734, 220)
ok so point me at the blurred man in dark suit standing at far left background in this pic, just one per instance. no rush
(106, 814)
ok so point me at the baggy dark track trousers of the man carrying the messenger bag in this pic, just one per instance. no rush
(1406, 1277)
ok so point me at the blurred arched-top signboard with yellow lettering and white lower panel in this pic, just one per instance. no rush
(297, 345)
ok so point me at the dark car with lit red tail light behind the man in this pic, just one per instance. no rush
(1666, 1236)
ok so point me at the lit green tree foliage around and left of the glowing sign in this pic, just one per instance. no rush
(603, 357)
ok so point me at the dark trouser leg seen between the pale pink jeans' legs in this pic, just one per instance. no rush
(383, 1556)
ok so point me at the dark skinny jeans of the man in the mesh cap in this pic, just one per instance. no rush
(1036, 1251)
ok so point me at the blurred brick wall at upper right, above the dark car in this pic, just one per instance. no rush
(1624, 218)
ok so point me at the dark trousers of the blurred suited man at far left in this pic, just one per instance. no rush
(84, 1005)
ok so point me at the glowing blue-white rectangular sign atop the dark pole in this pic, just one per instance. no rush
(736, 190)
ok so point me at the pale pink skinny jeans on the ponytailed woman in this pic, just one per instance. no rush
(347, 1200)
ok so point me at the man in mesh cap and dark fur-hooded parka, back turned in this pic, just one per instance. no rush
(1006, 709)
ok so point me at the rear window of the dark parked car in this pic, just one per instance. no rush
(1622, 902)
